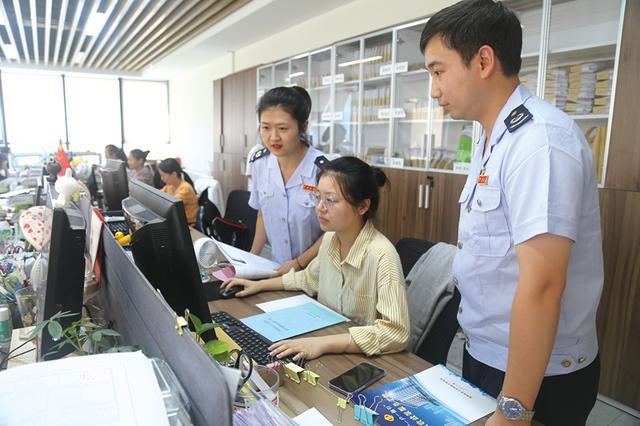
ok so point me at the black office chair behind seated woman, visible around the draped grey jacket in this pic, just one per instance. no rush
(435, 347)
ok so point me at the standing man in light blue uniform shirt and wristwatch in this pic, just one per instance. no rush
(529, 260)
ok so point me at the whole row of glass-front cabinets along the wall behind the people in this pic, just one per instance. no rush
(371, 94)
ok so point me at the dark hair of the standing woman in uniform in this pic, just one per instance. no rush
(294, 100)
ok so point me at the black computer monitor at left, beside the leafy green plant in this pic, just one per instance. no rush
(64, 262)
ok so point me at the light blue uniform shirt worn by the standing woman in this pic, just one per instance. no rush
(288, 210)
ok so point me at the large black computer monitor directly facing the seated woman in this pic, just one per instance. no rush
(163, 250)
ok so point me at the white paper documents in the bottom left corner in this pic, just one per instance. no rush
(106, 389)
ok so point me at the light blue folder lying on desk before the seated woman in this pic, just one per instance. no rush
(294, 321)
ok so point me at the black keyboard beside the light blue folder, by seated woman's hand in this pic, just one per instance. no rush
(253, 343)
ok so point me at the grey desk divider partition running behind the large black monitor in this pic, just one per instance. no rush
(140, 314)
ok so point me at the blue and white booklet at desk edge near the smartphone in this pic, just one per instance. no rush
(436, 396)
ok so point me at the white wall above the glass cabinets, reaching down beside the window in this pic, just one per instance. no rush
(191, 93)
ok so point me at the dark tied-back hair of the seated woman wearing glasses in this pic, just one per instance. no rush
(357, 180)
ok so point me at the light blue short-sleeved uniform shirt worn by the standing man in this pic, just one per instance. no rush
(540, 179)
